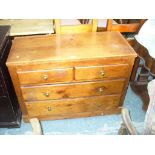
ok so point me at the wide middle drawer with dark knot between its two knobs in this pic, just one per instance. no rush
(72, 90)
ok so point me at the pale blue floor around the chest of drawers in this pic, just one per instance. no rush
(99, 125)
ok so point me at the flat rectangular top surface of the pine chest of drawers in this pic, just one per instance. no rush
(69, 47)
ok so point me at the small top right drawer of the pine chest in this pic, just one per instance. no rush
(101, 72)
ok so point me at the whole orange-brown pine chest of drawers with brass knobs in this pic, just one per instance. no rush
(66, 76)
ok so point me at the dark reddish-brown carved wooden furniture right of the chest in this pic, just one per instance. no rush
(139, 83)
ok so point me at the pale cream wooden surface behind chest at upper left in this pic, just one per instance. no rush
(21, 27)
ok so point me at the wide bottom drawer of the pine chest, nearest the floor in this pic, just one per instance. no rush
(71, 106)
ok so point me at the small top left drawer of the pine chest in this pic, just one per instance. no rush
(45, 76)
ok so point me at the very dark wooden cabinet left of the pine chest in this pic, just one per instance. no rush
(10, 114)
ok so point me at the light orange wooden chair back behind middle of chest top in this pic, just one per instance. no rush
(60, 28)
